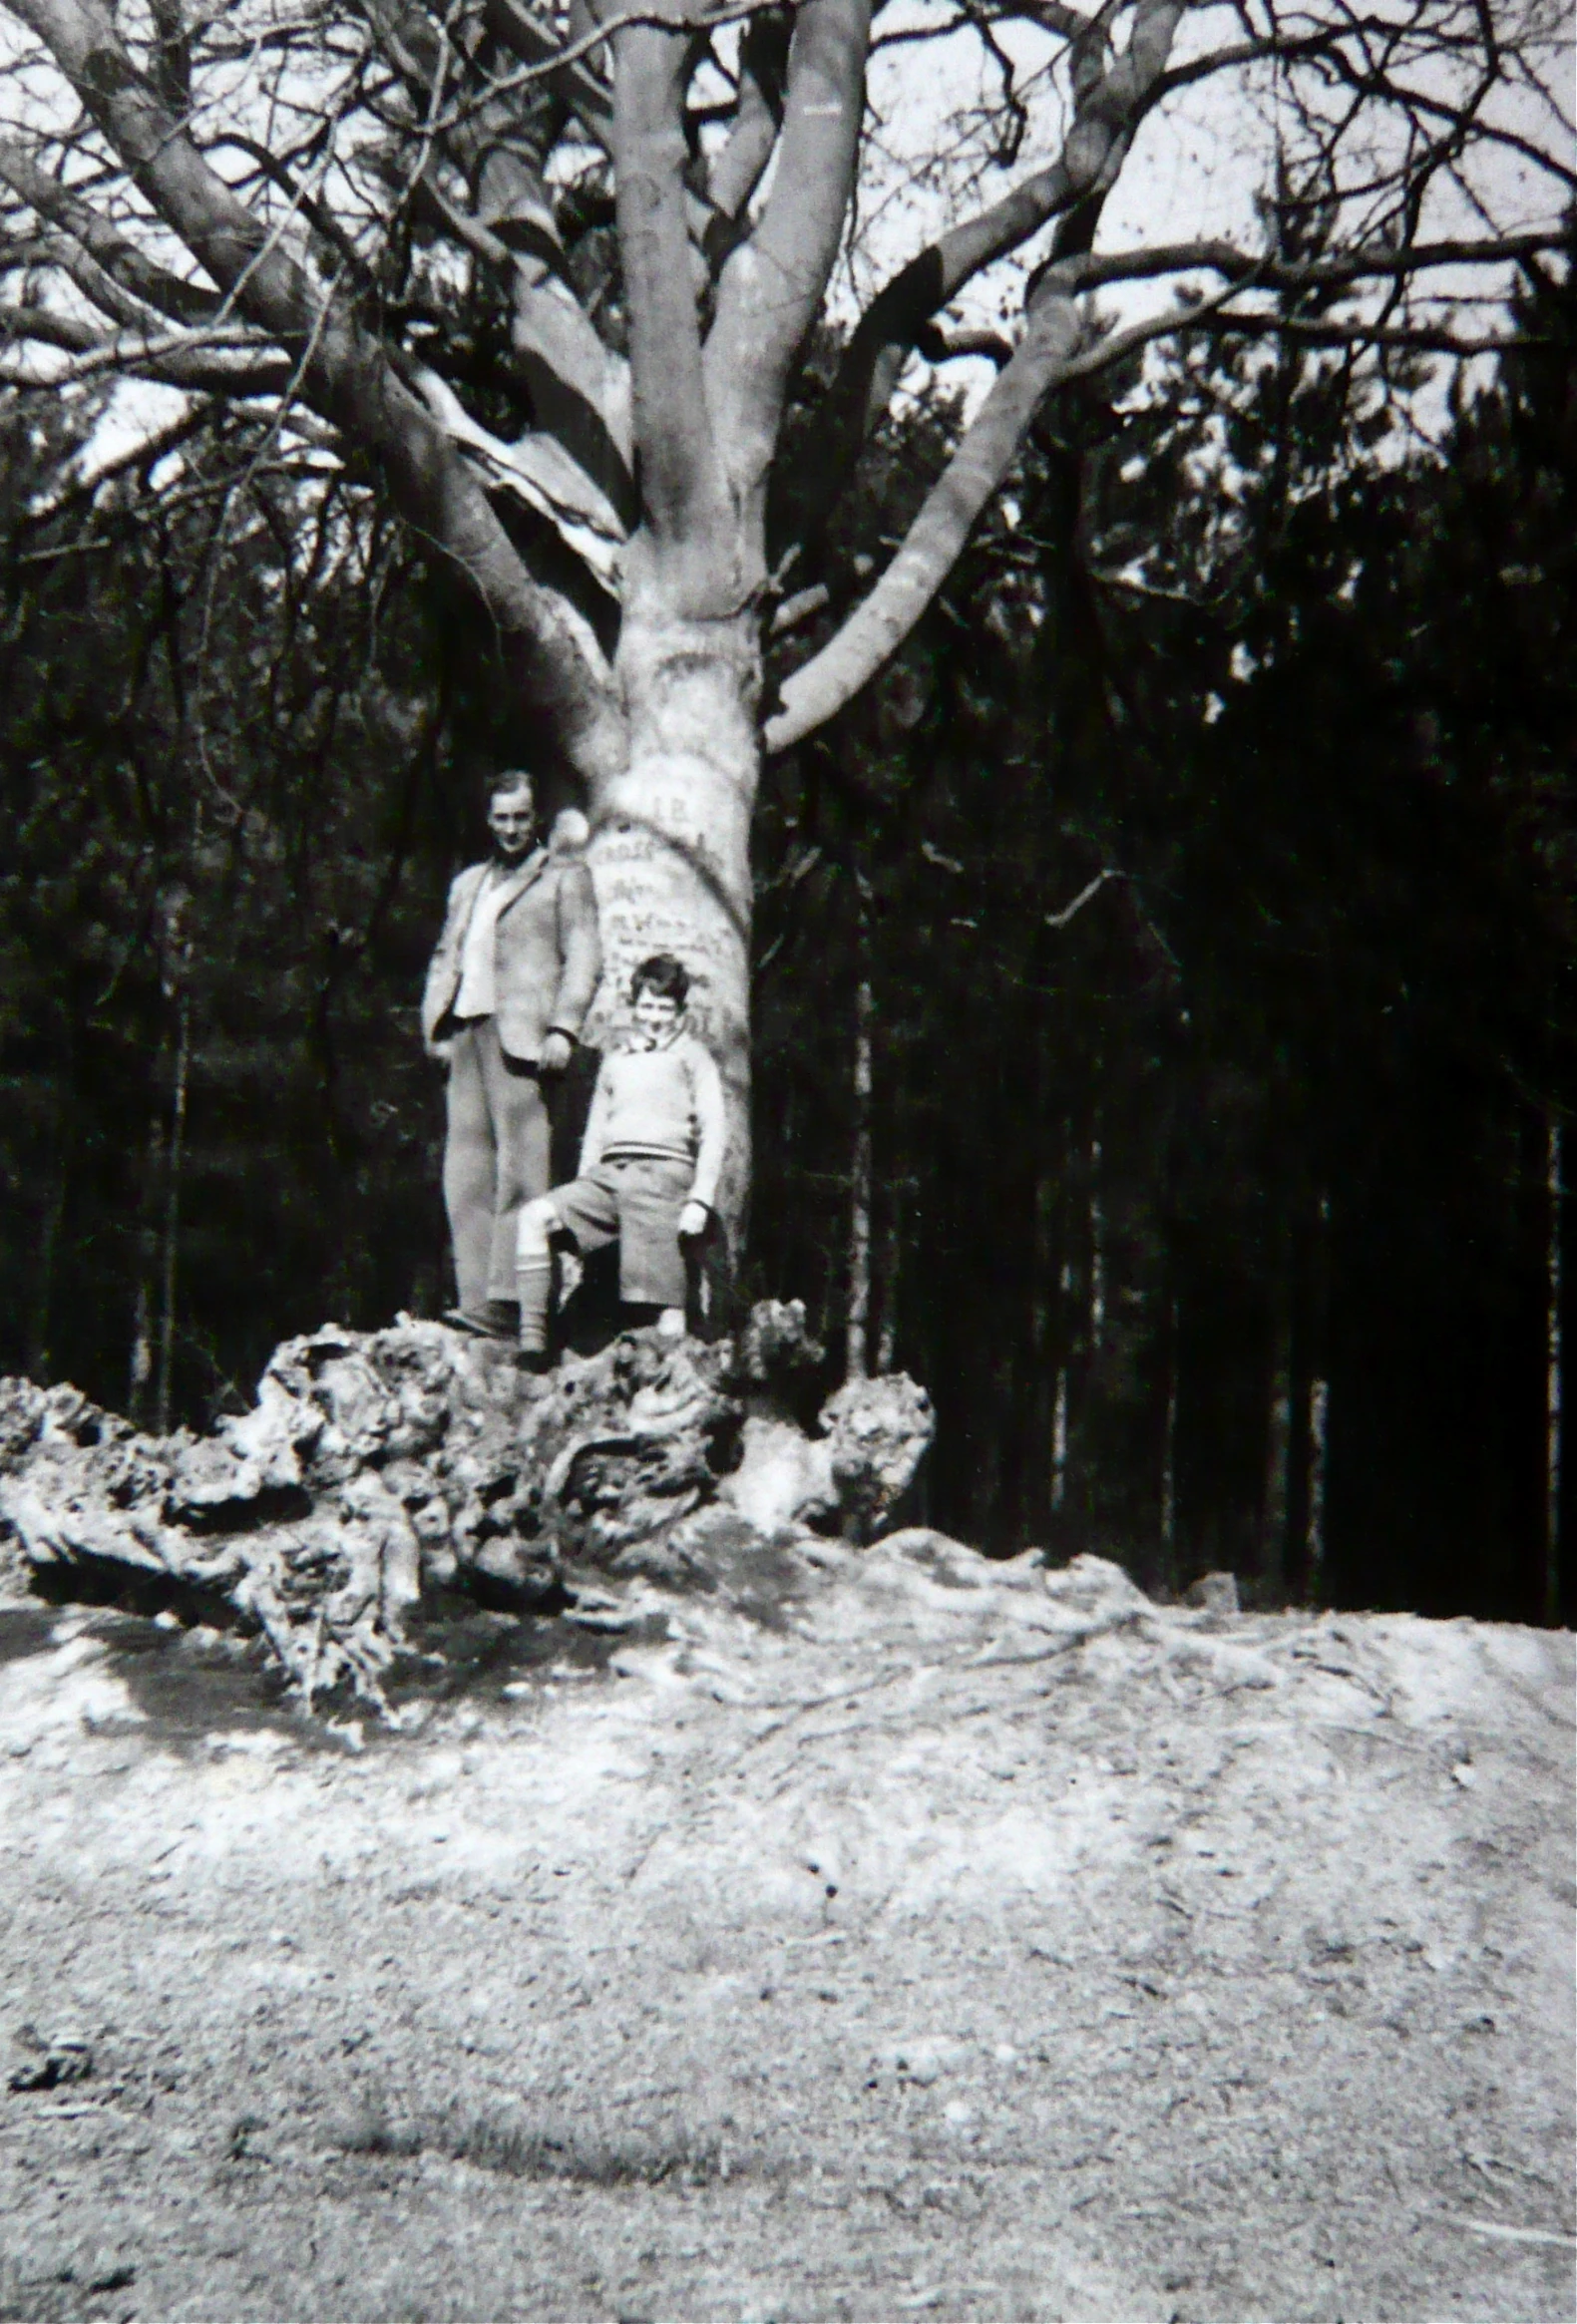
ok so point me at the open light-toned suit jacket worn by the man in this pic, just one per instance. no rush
(547, 954)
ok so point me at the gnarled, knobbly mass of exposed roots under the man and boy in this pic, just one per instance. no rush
(382, 1468)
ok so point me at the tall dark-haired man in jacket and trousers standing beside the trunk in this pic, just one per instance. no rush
(507, 994)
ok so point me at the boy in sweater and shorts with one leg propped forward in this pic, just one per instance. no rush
(649, 1165)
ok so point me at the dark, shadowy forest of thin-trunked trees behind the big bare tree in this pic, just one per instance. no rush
(1214, 1212)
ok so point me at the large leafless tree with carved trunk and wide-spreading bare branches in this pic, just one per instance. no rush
(545, 273)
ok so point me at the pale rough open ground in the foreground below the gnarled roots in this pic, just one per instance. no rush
(967, 1946)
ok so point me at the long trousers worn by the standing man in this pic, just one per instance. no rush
(496, 1159)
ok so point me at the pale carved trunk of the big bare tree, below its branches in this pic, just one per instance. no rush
(672, 845)
